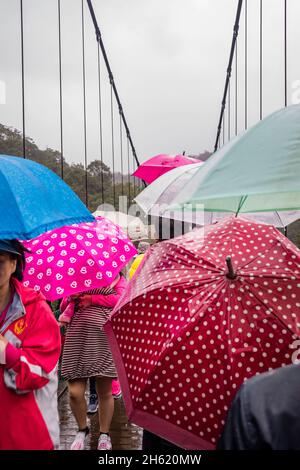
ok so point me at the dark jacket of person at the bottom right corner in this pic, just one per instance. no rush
(265, 413)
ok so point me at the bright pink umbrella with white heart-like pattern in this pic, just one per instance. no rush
(76, 258)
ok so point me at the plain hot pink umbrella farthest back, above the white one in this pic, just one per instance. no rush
(160, 164)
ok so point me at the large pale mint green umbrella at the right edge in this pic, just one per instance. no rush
(257, 171)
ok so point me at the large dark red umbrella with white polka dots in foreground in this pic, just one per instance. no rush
(192, 327)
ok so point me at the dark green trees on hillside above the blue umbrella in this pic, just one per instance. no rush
(74, 174)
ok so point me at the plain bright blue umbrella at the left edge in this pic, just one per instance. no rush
(33, 200)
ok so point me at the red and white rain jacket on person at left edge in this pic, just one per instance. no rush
(28, 374)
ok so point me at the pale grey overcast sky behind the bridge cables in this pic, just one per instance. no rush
(168, 58)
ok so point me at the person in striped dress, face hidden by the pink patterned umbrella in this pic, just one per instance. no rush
(87, 354)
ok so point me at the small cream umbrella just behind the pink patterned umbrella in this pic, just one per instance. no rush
(133, 226)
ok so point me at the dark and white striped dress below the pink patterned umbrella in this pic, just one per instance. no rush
(86, 351)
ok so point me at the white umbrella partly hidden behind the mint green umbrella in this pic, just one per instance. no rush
(160, 194)
